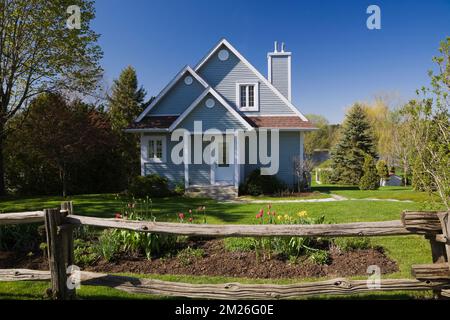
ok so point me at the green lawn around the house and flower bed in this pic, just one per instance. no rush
(405, 250)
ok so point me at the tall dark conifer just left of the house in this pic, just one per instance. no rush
(125, 103)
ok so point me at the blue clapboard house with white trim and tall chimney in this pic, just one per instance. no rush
(223, 95)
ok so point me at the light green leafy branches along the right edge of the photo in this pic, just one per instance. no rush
(427, 121)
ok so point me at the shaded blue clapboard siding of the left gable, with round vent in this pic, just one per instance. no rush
(179, 98)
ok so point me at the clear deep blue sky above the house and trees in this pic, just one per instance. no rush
(336, 59)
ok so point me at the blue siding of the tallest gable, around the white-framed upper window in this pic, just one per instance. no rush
(223, 76)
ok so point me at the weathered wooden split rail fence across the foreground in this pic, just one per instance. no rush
(59, 225)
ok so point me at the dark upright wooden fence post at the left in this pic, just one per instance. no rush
(60, 252)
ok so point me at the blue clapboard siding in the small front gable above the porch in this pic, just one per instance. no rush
(217, 117)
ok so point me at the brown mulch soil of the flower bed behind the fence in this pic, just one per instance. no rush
(219, 262)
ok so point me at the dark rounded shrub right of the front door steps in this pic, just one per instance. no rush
(257, 184)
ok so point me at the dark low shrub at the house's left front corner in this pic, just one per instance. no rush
(152, 185)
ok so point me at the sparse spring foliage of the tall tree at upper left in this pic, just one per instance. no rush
(40, 54)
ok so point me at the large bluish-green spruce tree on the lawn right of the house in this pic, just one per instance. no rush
(355, 142)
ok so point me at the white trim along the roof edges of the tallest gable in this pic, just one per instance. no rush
(255, 71)
